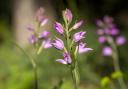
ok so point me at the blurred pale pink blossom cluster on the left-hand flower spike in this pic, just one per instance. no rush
(39, 37)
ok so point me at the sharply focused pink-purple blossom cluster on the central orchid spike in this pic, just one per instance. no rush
(72, 41)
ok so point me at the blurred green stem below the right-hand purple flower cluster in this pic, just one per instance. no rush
(116, 62)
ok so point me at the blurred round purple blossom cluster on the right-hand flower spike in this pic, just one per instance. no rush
(106, 28)
